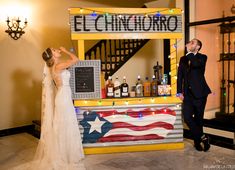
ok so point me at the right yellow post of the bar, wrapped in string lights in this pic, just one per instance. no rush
(173, 59)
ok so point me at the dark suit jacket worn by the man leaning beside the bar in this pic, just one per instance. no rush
(191, 75)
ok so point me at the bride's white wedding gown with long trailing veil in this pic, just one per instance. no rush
(60, 146)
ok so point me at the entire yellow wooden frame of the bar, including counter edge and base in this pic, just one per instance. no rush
(131, 101)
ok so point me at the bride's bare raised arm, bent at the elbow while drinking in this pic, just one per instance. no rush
(67, 63)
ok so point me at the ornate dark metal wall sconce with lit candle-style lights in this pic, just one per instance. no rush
(15, 28)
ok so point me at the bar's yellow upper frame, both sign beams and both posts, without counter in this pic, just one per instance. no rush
(97, 36)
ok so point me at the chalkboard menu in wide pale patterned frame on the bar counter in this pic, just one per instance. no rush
(85, 79)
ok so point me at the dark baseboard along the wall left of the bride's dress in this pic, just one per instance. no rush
(16, 130)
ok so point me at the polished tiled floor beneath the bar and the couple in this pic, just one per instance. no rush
(20, 148)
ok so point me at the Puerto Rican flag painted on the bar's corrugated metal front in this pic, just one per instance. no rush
(121, 125)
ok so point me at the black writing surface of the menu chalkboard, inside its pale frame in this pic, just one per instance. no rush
(84, 79)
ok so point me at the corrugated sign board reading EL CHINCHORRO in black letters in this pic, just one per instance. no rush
(128, 23)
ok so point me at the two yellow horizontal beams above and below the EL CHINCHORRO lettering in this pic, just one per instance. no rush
(97, 36)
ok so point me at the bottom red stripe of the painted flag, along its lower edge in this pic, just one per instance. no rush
(123, 138)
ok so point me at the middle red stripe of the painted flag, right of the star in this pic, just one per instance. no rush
(142, 128)
